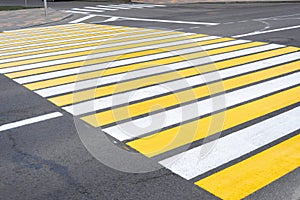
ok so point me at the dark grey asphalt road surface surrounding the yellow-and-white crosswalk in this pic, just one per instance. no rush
(47, 160)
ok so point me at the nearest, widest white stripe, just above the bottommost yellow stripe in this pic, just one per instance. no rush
(204, 158)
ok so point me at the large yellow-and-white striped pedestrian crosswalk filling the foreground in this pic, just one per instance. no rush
(220, 112)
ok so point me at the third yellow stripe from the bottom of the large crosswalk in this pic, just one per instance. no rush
(133, 110)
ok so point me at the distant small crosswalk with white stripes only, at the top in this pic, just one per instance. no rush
(112, 7)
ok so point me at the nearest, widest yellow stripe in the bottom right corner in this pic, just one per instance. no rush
(254, 173)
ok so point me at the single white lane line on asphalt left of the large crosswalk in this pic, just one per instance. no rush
(30, 121)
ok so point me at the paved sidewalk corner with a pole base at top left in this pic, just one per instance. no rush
(17, 19)
